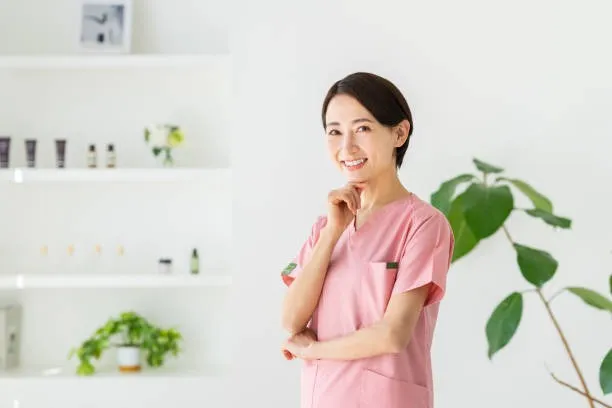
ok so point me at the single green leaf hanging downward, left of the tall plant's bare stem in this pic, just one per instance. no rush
(504, 322)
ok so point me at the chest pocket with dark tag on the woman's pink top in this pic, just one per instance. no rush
(376, 288)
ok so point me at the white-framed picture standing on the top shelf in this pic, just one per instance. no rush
(106, 26)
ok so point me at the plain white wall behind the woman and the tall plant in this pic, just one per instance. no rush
(525, 86)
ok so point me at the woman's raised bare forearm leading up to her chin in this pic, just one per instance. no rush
(303, 294)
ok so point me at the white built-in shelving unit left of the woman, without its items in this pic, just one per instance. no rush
(79, 245)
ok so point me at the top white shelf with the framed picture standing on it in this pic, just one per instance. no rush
(111, 61)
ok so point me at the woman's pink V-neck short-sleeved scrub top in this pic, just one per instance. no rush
(406, 244)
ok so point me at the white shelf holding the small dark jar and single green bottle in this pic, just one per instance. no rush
(40, 281)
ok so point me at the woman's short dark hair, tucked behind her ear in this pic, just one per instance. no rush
(380, 97)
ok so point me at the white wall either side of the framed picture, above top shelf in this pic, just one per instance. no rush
(159, 26)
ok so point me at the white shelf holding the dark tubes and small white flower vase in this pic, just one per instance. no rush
(26, 175)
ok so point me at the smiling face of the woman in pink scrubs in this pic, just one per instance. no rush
(358, 144)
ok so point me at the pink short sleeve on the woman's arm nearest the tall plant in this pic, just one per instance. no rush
(426, 258)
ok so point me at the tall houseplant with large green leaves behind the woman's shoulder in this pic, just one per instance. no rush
(478, 206)
